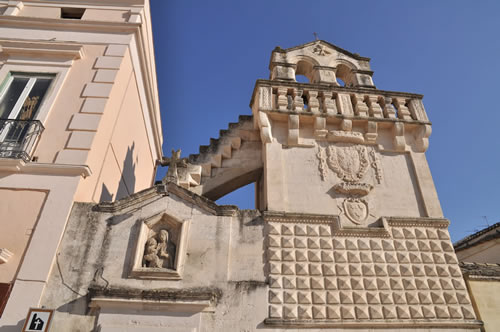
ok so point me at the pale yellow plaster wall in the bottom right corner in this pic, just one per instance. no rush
(485, 294)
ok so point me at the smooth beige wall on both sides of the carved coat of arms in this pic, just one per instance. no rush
(295, 183)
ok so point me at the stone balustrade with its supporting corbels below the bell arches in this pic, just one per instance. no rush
(343, 107)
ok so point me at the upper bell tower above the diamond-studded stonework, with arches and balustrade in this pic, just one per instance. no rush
(352, 151)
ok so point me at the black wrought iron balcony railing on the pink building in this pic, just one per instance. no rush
(18, 138)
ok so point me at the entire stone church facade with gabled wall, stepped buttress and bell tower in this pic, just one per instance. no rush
(348, 233)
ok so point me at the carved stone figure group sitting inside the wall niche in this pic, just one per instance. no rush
(160, 252)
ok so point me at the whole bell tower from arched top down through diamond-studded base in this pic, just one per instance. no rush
(355, 234)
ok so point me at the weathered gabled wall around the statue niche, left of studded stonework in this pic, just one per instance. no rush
(224, 257)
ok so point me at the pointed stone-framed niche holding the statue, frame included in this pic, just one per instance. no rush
(160, 248)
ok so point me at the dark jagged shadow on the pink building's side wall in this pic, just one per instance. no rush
(126, 186)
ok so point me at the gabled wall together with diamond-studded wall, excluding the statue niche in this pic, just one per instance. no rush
(243, 271)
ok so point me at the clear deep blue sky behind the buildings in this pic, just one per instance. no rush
(210, 53)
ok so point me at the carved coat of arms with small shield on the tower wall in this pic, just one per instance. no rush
(351, 164)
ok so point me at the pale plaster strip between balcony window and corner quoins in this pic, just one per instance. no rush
(68, 102)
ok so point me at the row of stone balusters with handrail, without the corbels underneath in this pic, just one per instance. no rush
(330, 100)
